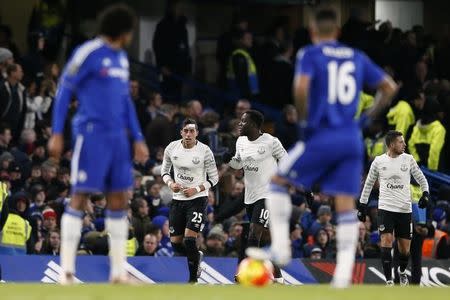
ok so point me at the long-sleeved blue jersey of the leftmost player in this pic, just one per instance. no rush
(98, 76)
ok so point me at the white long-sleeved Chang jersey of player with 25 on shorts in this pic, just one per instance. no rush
(192, 167)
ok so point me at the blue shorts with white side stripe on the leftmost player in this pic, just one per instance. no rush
(101, 162)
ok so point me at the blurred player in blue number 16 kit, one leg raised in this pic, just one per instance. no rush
(328, 80)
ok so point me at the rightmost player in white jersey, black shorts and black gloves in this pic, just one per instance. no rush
(393, 171)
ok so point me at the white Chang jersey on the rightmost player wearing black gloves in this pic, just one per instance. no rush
(394, 175)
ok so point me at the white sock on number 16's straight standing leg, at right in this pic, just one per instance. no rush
(347, 233)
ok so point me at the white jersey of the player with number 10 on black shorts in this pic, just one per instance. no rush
(259, 160)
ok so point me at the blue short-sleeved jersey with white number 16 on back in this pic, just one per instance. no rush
(337, 75)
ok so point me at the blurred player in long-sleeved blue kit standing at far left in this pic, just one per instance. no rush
(97, 75)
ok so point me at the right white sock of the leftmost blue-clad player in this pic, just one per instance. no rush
(117, 226)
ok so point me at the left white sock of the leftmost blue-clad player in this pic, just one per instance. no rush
(71, 223)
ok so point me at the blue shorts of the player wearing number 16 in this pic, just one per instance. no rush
(331, 158)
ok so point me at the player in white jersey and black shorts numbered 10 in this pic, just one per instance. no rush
(257, 153)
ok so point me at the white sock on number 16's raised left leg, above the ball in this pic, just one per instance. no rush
(279, 205)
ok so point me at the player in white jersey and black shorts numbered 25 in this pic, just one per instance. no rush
(195, 172)
